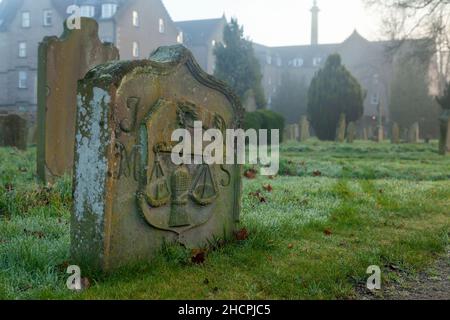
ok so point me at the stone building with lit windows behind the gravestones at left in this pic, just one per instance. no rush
(136, 27)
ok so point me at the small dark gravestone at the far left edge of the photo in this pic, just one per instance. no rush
(13, 131)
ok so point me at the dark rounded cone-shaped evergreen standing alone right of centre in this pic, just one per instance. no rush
(333, 91)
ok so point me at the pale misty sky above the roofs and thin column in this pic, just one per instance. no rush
(284, 22)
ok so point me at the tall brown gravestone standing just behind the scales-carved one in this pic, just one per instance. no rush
(62, 62)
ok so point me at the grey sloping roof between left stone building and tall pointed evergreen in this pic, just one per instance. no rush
(199, 32)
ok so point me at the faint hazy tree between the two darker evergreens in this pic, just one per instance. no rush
(291, 98)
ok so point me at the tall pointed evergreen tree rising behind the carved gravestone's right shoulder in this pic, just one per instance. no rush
(237, 65)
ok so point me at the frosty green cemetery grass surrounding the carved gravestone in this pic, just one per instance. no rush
(334, 210)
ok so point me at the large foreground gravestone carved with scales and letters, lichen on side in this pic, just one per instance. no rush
(129, 197)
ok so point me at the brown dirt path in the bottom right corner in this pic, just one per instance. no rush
(433, 284)
